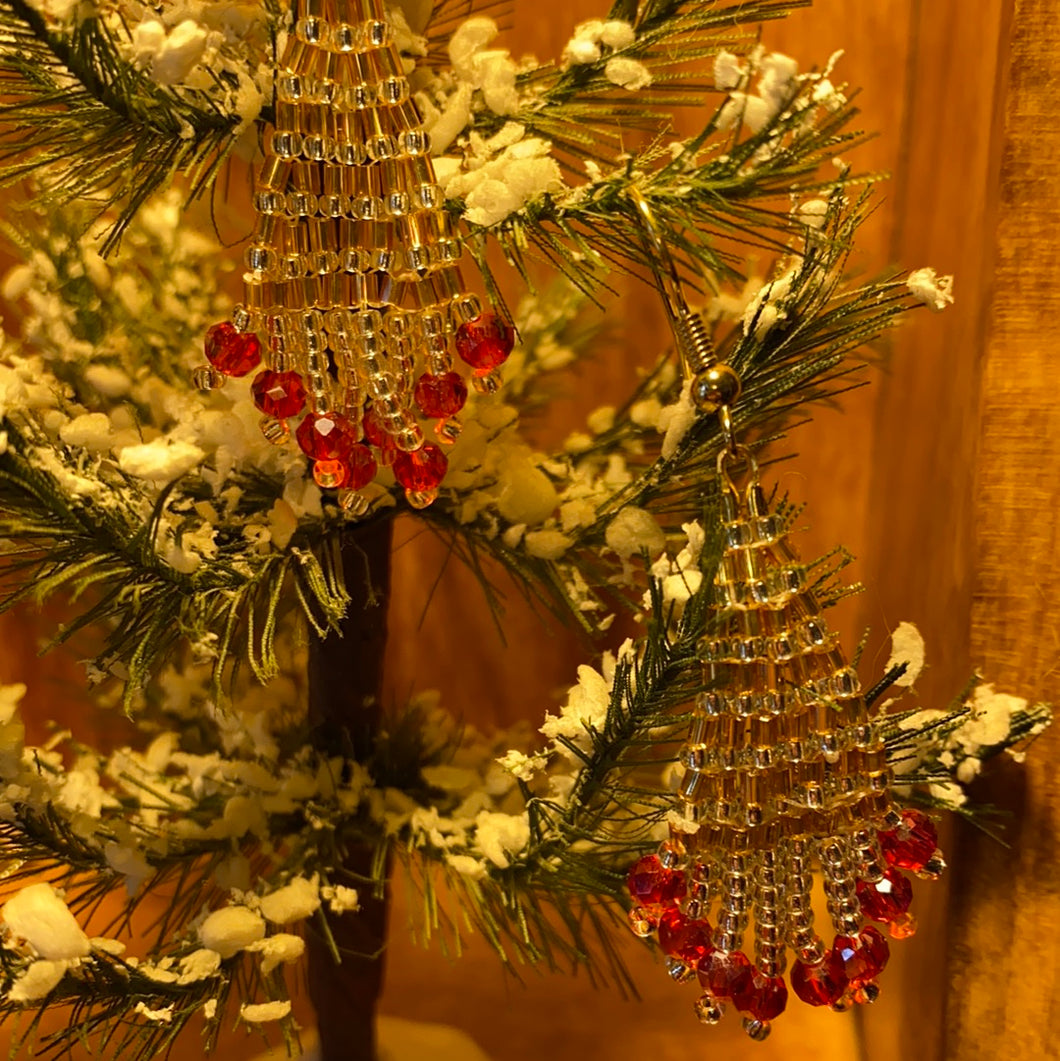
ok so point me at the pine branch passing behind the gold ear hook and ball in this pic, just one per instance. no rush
(810, 353)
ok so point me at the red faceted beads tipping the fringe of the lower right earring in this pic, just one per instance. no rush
(670, 901)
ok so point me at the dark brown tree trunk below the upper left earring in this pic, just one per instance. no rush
(345, 714)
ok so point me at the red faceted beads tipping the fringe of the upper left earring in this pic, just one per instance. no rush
(346, 455)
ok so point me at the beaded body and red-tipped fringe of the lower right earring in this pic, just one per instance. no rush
(786, 775)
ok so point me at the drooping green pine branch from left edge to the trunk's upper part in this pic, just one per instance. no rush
(99, 550)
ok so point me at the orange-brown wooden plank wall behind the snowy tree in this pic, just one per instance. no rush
(948, 499)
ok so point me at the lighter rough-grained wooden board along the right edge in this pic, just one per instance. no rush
(1004, 959)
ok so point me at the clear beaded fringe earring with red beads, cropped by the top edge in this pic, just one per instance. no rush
(353, 280)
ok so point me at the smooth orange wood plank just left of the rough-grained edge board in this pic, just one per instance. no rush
(922, 551)
